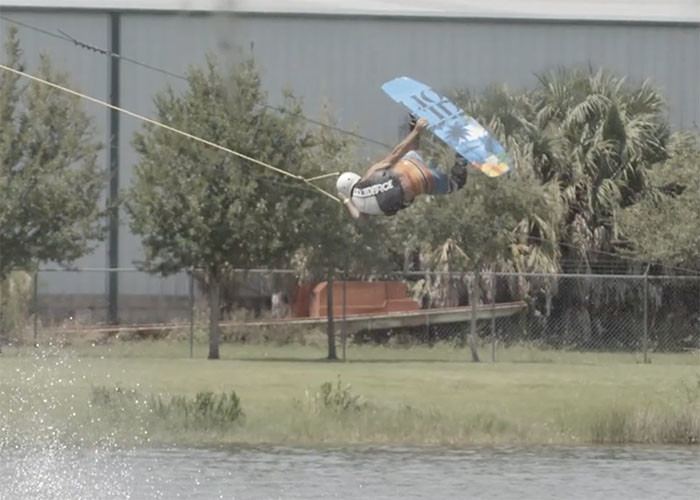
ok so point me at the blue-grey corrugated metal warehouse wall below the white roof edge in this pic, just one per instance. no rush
(345, 60)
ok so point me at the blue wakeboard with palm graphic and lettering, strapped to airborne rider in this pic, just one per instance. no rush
(451, 124)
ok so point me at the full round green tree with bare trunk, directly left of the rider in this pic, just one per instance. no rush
(199, 208)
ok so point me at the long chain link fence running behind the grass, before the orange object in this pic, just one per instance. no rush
(418, 315)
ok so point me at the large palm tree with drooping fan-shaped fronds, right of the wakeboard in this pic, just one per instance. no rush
(598, 137)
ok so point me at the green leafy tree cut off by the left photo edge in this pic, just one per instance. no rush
(50, 183)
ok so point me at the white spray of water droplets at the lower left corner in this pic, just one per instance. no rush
(47, 449)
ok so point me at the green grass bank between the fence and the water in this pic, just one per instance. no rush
(151, 393)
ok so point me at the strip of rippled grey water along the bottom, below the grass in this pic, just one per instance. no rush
(386, 473)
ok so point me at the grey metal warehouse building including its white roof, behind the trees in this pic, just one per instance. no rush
(325, 51)
